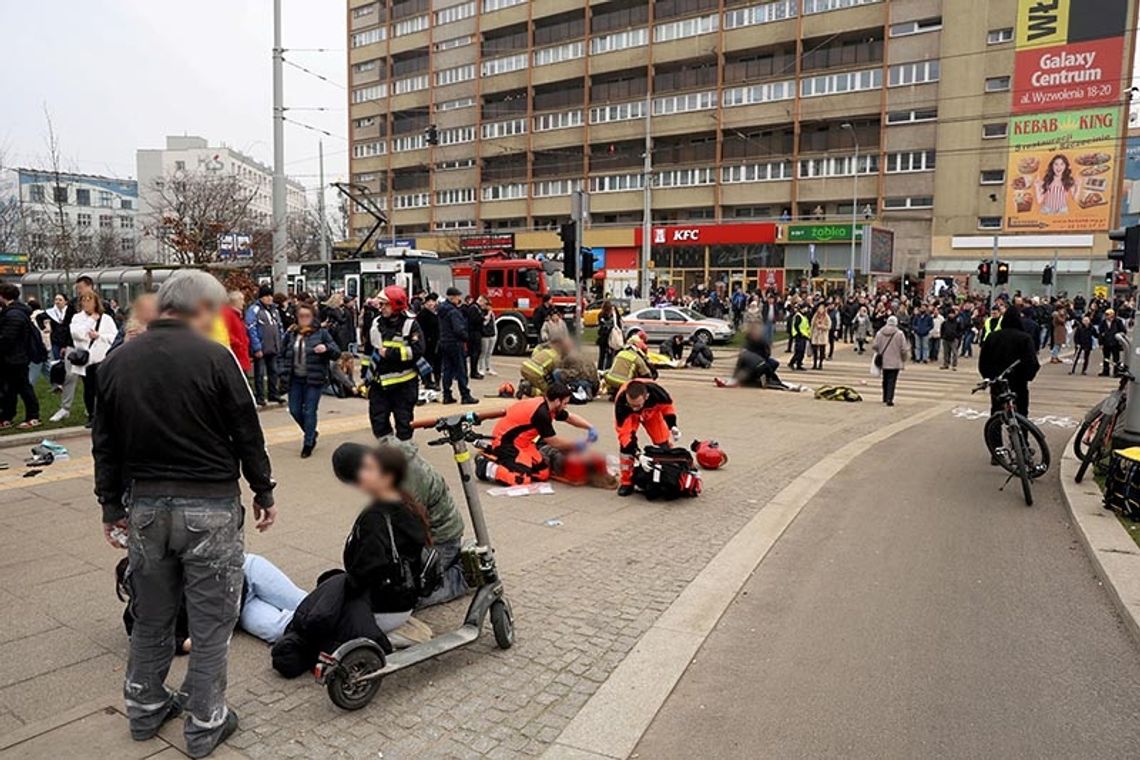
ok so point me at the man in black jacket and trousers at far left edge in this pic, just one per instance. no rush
(18, 334)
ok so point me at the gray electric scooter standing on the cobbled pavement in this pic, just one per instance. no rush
(353, 673)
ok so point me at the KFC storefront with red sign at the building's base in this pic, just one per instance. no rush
(688, 256)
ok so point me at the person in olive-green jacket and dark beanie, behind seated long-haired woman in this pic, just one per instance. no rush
(427, 487)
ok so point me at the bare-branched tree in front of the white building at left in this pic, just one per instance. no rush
(193, 209)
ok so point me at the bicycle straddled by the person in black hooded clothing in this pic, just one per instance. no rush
(1015, 444)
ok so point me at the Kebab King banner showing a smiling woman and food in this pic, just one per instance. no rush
(1062, 169)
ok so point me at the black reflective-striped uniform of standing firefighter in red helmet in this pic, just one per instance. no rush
(398, 346)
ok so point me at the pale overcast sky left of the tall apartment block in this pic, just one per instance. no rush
(118, 76)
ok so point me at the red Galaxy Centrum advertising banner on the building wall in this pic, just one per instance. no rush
(1074, 76)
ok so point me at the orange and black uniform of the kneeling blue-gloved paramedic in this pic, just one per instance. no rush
(517, 443)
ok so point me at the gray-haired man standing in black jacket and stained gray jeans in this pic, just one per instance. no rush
(175, 428)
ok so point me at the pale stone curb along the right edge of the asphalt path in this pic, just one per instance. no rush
(1113, 553)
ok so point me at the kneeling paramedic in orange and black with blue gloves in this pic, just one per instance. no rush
(525, 445)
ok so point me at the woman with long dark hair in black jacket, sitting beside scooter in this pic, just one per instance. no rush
(385, 552)
